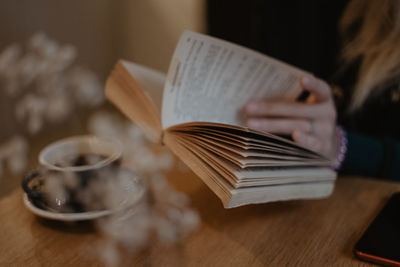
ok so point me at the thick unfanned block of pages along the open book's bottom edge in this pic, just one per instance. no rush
(231, 197)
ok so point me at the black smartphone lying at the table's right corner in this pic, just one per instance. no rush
(381, 241)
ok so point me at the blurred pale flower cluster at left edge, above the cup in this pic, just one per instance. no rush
(47, 87)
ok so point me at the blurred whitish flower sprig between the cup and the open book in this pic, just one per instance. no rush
(164, 215)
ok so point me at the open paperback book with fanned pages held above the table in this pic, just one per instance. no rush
(195, 110)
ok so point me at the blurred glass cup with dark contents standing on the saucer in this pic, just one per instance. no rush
(71, 174)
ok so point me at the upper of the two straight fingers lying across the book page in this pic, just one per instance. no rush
(282, 109)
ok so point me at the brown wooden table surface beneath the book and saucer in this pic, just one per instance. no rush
(294, 233)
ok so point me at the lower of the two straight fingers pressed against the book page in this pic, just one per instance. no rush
(279, 126)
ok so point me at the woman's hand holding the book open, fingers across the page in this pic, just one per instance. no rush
(311, 124)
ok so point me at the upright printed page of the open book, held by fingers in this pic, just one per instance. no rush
(210, 80)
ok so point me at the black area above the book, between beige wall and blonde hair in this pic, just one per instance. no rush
(302, 33)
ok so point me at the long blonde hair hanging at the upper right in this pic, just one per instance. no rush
(374, 26)
